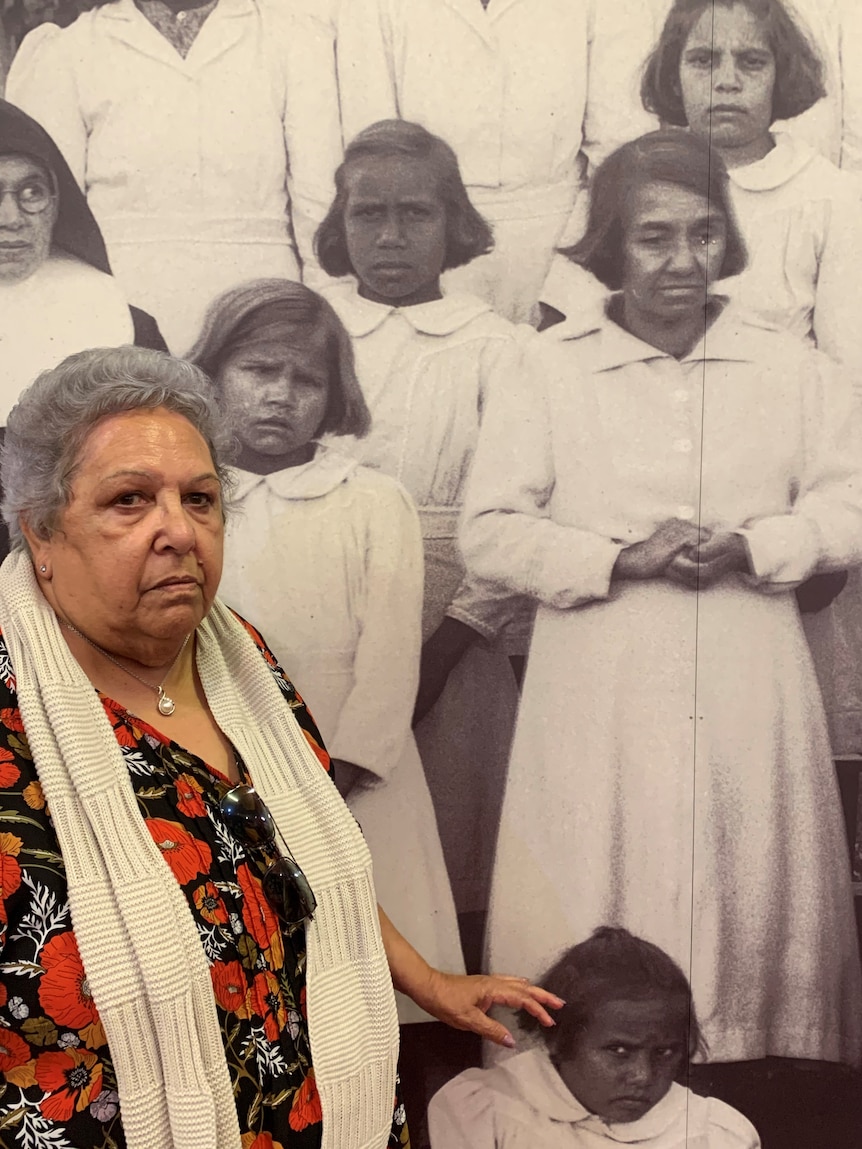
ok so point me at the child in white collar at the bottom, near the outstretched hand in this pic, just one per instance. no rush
(606, 1074)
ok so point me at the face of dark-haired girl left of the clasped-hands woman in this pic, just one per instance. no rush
(396, 229)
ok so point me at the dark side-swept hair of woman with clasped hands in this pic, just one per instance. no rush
(669, 157)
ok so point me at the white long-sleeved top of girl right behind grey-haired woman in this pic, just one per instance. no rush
(351, 543)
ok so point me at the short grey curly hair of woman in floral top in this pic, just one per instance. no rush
(53, 418)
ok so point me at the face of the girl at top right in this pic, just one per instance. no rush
(727, 76)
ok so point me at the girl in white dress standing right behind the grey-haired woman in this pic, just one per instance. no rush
(330, 556)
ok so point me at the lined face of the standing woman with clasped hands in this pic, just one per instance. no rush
(673, 250)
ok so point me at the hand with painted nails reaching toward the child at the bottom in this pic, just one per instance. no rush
(464, 1001)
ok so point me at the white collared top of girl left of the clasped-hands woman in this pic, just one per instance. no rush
(426, 373)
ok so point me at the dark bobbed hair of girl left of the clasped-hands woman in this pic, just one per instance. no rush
(468, 235)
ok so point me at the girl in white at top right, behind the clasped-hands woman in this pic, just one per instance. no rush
(728, 74)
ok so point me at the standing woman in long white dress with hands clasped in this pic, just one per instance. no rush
(672, 472)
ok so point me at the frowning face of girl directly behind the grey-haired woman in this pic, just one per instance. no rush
(276, 397)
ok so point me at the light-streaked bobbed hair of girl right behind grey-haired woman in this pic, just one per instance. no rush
(282, 310)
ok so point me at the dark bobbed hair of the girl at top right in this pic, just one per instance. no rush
(798, 67)
